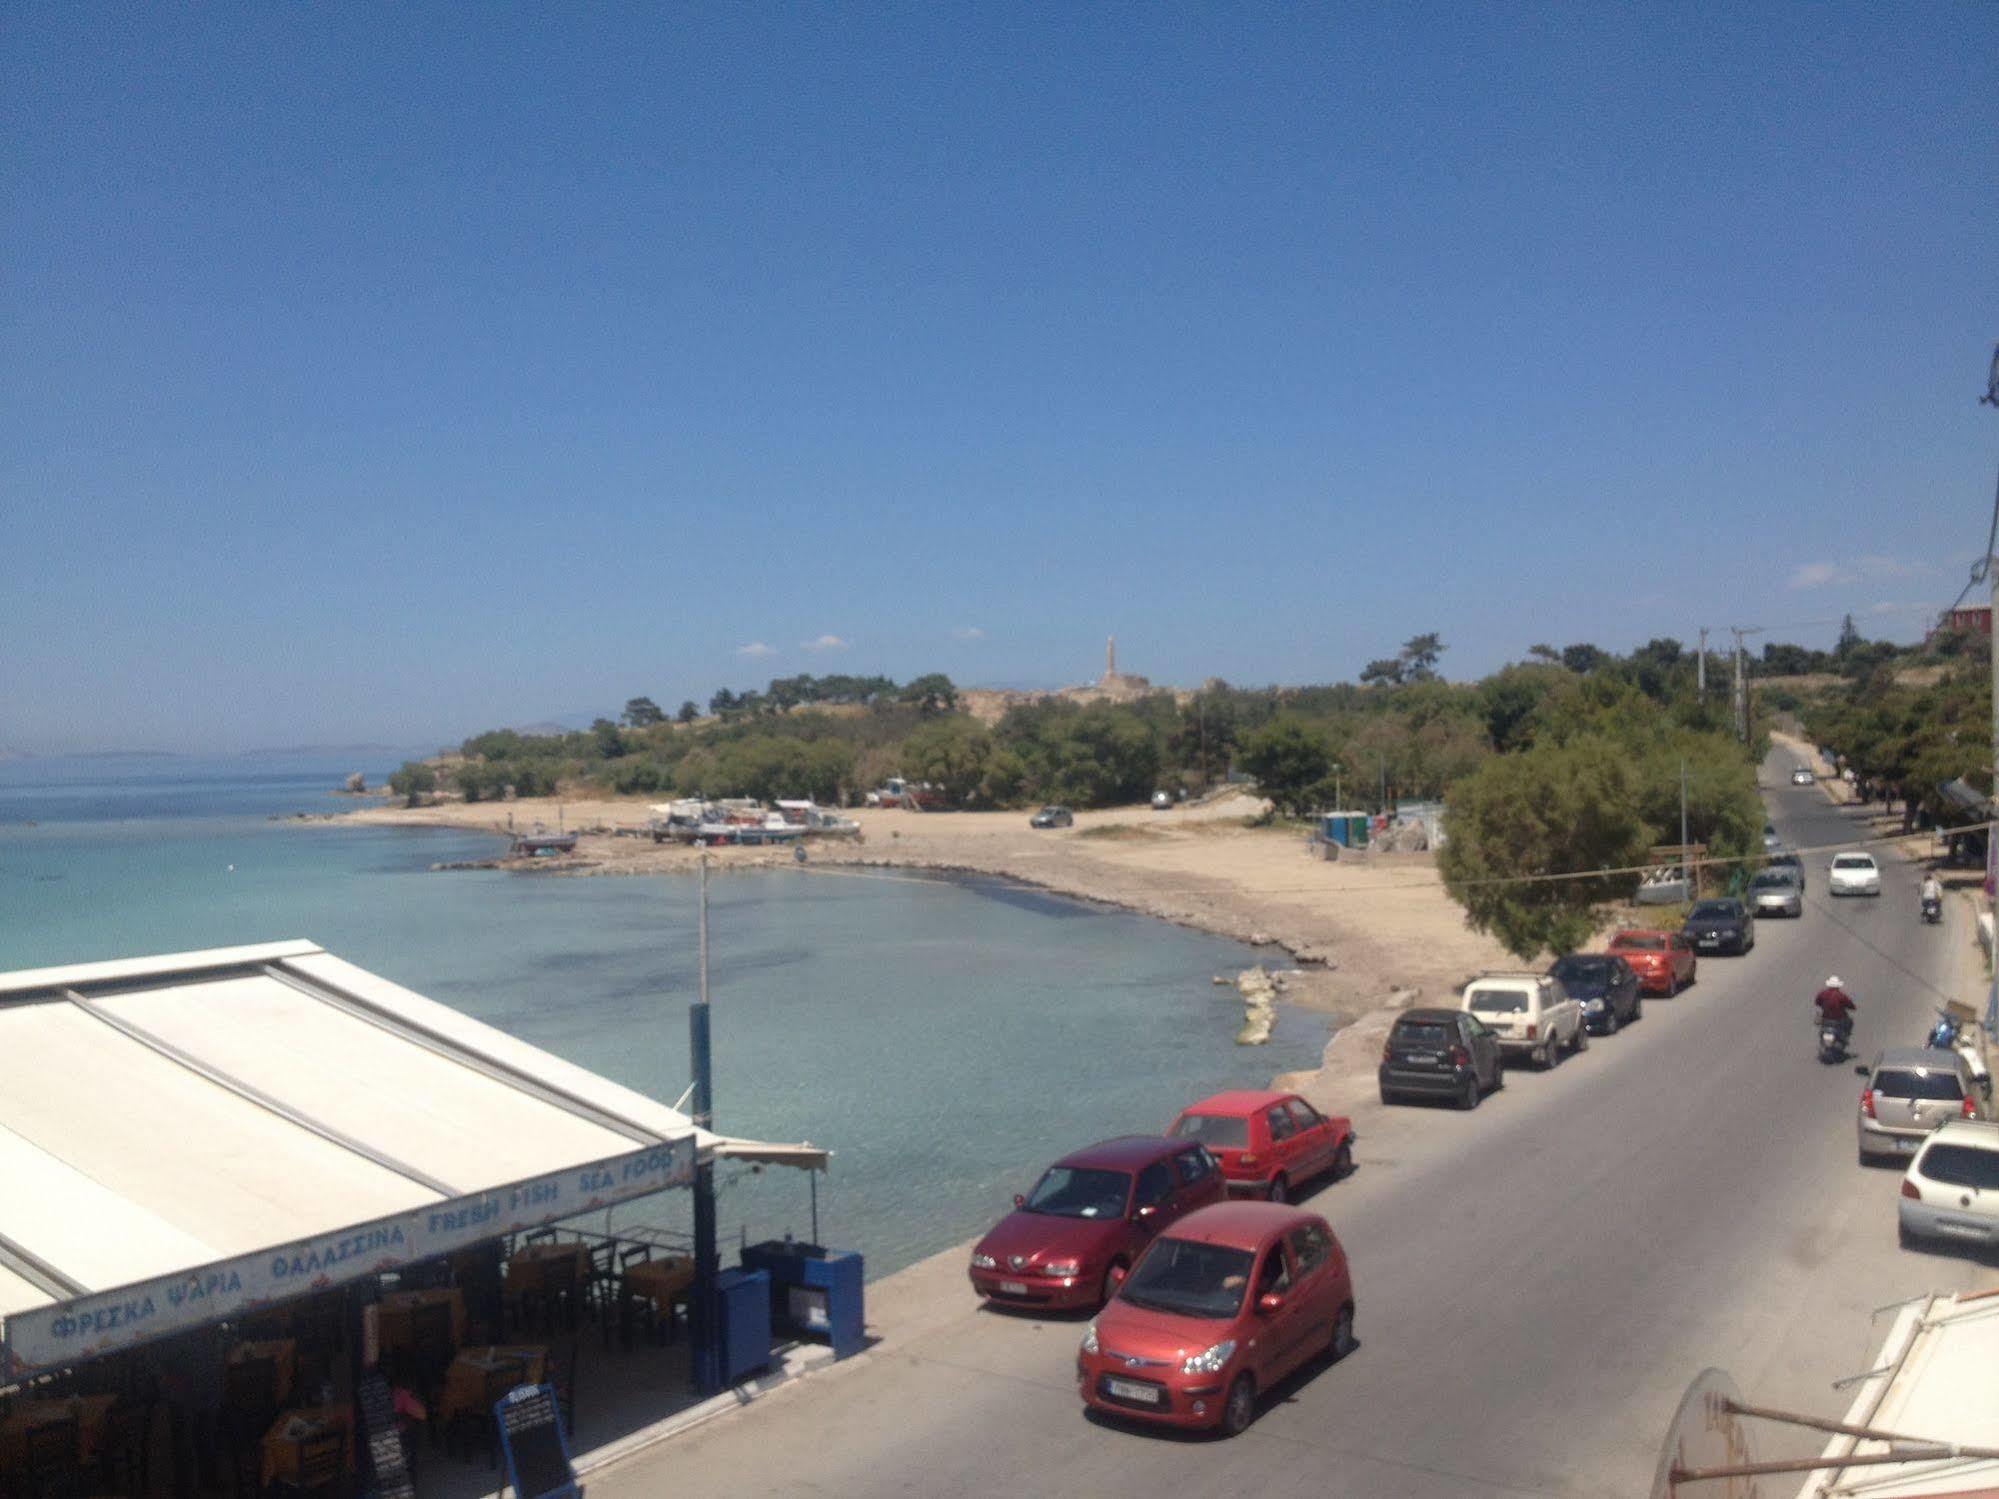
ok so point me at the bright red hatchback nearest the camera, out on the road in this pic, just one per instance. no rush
(1216, 1314)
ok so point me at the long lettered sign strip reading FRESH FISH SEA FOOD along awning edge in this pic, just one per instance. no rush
(105, 1322)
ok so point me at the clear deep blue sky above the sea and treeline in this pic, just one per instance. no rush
(395, 373)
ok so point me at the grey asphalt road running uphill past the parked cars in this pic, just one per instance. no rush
(1536, 1280)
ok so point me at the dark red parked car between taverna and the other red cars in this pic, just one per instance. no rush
(1070, 1242)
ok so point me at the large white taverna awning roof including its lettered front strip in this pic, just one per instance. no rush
(191, 1136)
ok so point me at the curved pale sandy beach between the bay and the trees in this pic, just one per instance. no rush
(1354, 938)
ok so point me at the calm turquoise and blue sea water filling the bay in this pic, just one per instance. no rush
(945, 1036)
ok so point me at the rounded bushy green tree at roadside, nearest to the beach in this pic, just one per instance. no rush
(1548, 810)
